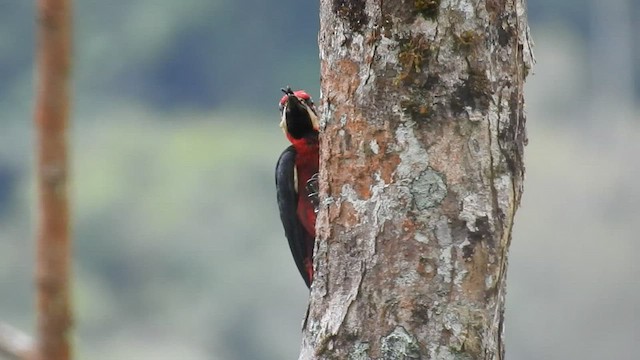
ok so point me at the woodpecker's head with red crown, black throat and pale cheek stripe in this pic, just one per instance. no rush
(298, 115)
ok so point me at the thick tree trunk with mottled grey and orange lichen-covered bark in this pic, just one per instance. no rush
(422, 139)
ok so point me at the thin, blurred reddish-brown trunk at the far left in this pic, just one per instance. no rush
(53, 237)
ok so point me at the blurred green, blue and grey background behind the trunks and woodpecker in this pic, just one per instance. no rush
(179, 249)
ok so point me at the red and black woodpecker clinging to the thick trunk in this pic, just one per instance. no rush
(296, 178)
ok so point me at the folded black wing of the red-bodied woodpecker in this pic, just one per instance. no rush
(288, 206)
